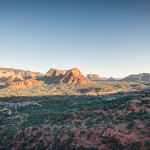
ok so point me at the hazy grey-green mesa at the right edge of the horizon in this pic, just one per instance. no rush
(145, 77)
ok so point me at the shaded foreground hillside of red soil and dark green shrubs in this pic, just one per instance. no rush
(119, 121)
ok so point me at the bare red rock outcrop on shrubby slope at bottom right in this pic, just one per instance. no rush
(121, 138)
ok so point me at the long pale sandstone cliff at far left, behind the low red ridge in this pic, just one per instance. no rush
(14, 75)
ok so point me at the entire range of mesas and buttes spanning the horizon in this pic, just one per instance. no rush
(16, 78)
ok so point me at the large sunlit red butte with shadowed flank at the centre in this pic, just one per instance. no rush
(73, 76)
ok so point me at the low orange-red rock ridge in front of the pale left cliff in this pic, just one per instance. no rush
(24, 84)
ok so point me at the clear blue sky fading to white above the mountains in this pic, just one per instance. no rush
(108, 37)
